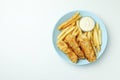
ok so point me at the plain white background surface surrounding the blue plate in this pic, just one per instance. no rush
(26, 49)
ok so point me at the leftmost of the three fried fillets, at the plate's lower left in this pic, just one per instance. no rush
(68, 51)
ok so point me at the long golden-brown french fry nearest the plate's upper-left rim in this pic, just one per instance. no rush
(70, 21)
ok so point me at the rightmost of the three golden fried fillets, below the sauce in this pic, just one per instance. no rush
(87, 48)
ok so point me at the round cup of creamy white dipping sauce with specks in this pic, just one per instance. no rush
(87, 23)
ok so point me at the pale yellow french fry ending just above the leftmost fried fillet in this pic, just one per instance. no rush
(65, 32)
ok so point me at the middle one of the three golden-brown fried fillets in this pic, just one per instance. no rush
(71, 40)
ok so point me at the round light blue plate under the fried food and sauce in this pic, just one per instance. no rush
(56, 32)
